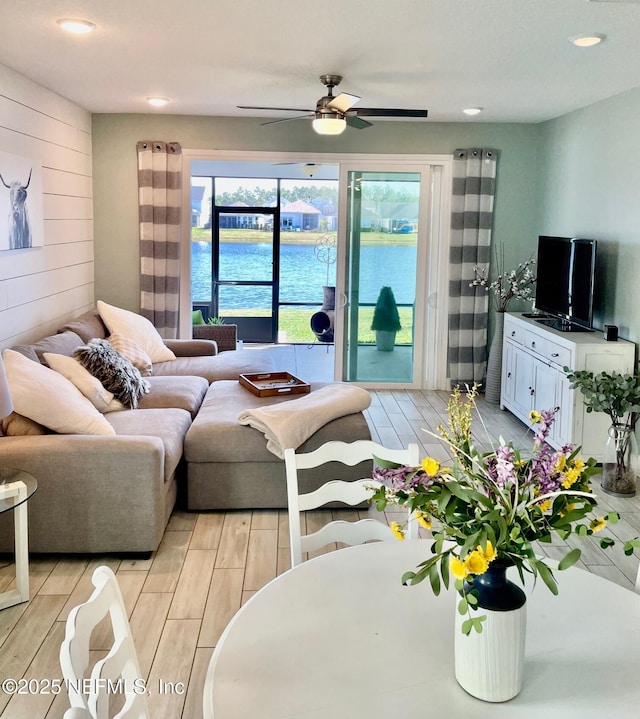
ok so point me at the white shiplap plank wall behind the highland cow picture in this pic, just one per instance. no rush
(40, 288)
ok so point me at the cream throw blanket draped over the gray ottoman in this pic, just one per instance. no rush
(289, 424)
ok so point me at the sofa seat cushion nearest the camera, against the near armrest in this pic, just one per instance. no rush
(169, 425)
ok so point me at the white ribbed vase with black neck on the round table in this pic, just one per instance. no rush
(489, 665)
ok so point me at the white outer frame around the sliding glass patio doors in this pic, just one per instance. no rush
(434, 375)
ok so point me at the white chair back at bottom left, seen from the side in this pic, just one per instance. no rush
(117, 673)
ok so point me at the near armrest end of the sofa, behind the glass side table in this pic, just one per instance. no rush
(95, 493)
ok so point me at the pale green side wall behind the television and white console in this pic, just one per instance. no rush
(588, 187)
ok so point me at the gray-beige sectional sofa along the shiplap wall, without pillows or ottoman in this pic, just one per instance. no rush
(101, 493)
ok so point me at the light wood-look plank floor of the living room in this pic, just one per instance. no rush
(208, 564)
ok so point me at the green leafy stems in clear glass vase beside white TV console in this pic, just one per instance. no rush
(618, 396)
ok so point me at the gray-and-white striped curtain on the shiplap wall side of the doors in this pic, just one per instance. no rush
(160, 211)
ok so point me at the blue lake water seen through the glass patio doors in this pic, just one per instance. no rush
(302, 275)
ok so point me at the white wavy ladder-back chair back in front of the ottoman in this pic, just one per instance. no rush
(351, 493)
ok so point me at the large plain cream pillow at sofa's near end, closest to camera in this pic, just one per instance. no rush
(50, 399)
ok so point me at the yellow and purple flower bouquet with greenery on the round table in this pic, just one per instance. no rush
(493, 506)
